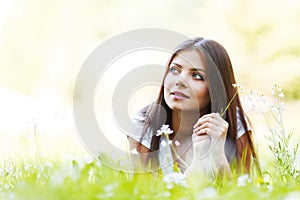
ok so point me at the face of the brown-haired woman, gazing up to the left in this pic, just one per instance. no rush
(185, 86)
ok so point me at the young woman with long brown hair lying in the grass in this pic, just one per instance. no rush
(199, 103)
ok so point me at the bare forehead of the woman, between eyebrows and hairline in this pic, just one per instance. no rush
(190, 58)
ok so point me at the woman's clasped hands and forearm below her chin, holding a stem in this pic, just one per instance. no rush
(209, 136)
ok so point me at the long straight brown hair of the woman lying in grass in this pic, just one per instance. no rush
(220, 77)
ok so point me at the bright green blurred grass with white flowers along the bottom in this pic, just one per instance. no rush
(92, 180)
